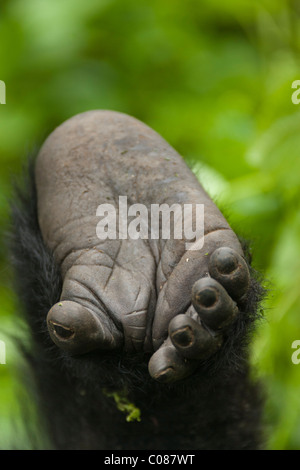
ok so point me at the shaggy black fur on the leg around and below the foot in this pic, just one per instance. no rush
(218, 407)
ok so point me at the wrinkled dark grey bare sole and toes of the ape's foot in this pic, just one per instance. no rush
(133, 295)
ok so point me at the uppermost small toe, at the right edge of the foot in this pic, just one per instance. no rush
(230, 270)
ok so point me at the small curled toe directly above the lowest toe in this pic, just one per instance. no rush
(191, 339)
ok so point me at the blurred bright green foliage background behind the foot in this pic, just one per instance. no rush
(214, 78)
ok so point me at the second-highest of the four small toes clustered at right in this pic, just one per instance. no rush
(211, 301)
